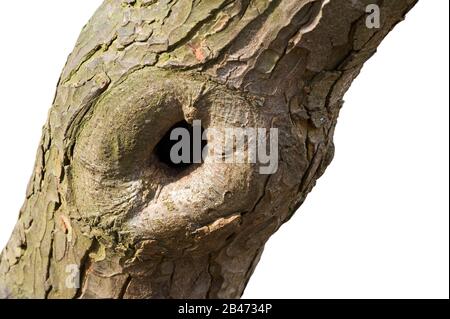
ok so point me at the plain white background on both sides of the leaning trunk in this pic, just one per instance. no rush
(376, 225)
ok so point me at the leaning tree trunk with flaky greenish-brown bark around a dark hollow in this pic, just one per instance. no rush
(100, 199)
